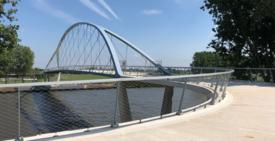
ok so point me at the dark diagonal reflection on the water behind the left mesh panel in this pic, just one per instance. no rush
(56, 116)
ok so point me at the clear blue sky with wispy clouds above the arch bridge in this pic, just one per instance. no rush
(167, 30)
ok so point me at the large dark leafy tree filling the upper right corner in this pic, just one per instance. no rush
(244, 31)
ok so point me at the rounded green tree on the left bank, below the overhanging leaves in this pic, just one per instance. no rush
(22, 59)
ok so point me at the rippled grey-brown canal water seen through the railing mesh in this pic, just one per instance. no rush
(55, 111)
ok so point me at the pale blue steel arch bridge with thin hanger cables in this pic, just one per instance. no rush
(88, 48)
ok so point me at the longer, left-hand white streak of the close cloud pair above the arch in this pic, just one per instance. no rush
(89, 4)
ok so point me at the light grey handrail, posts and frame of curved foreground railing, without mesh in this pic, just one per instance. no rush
(221, 81)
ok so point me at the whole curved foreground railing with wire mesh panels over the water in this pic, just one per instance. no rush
(48, 107)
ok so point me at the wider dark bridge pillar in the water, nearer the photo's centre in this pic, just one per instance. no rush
(122, 107)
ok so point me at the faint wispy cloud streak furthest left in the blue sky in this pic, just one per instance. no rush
(45, 7)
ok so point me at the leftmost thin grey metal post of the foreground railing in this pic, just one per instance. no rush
(19, 138)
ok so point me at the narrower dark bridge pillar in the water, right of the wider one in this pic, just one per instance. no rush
(167, 100)
